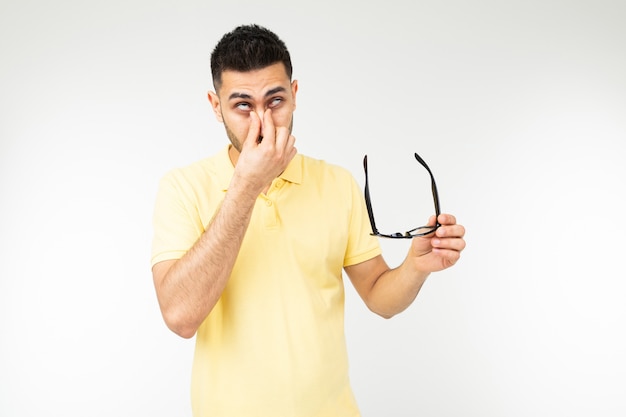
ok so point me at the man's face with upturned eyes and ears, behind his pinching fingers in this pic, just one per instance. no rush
(254, 91)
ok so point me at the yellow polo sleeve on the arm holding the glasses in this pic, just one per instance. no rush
(362, 246)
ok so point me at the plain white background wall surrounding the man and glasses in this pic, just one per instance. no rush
(519, 108)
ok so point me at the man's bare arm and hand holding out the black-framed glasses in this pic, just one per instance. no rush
(387, 291)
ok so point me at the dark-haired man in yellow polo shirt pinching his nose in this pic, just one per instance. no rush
(250, 244)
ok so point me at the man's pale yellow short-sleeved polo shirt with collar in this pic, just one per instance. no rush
(274, 344)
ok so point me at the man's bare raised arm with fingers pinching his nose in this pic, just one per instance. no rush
(189, 288)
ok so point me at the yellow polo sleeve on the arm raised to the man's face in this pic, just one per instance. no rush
(176, 226)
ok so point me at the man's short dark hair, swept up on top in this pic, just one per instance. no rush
(248, 48)
